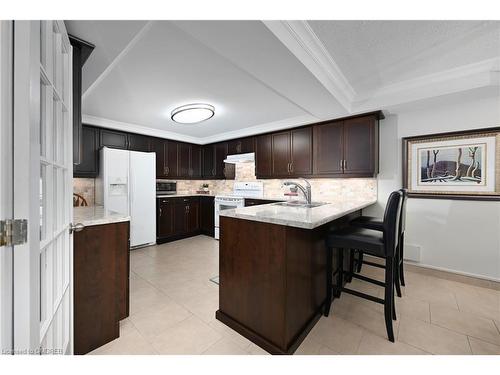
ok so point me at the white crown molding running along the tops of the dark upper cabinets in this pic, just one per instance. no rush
(250, 131)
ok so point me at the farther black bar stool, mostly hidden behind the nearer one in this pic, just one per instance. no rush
(374, 223)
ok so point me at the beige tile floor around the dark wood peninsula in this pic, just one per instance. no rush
(173, 304)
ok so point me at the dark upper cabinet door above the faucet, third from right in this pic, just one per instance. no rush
(301, 152)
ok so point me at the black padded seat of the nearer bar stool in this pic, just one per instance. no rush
(371, 241)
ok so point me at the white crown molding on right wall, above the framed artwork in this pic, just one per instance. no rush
(463, 78)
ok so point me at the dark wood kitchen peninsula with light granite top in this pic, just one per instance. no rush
(272, 269)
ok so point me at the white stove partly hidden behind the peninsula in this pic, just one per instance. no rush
(241, 190)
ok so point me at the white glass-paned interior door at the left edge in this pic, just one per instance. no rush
(43, 171)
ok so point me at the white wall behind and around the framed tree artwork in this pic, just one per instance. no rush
(461, 236)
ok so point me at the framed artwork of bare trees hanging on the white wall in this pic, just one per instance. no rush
(457, 165)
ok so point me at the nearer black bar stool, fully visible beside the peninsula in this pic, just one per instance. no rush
(378, 243)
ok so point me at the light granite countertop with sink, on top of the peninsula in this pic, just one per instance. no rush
(299, 217)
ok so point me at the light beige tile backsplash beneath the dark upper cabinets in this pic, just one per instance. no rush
(323, 189)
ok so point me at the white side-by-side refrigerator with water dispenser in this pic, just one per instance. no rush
(126, 184)
